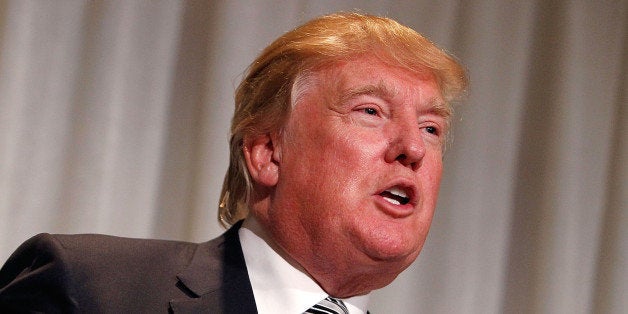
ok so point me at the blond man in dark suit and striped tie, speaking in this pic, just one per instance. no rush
(336, 159)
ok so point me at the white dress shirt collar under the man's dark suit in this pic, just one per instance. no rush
(279, 287)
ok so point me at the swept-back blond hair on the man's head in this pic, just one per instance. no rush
(263, 98)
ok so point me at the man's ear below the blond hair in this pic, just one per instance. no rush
(261, 154)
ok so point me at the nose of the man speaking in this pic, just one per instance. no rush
(407, 146)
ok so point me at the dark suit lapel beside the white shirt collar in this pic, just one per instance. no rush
(217, 280)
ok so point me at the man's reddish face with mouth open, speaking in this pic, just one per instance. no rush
(360, 163)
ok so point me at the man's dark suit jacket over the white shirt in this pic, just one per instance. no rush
(104, 274)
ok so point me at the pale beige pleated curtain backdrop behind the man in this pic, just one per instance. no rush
(114, 119)
